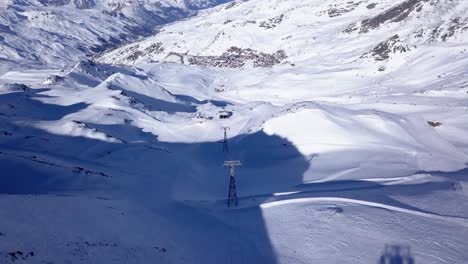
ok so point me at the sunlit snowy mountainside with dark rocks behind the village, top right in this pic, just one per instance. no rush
(311, 32)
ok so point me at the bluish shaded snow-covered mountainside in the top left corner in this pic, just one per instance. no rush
(59, 32)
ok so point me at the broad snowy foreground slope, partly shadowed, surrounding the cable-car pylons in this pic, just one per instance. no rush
(134, 154)
